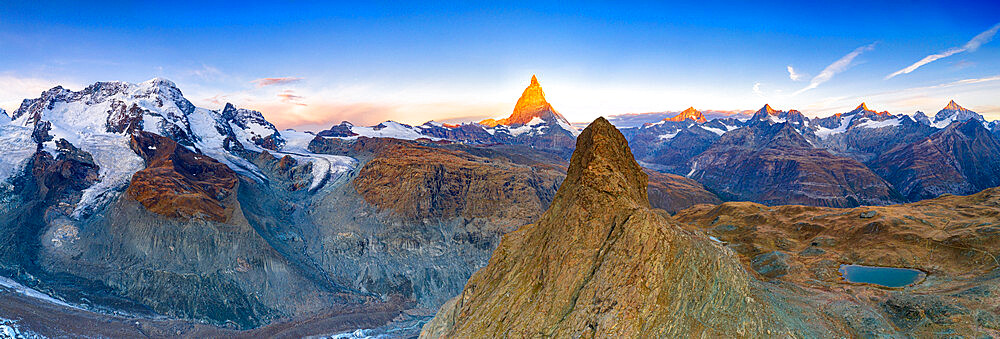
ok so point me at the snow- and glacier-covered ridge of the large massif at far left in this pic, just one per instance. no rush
(100, 118)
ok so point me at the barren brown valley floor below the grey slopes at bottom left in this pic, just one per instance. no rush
(32, 316)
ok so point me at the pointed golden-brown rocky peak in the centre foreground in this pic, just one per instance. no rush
(579, 271)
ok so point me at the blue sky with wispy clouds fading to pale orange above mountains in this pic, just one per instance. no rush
(307, 65)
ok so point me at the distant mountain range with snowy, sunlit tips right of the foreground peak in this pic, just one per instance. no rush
(861, 157)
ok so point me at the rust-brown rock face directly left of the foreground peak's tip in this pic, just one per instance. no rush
(420, 182)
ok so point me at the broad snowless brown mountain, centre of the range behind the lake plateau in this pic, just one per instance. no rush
(774, 164)
